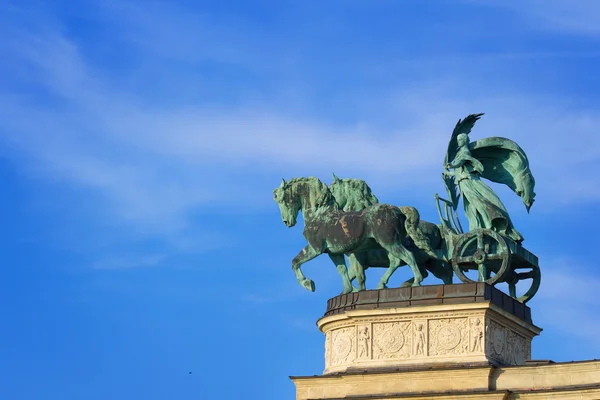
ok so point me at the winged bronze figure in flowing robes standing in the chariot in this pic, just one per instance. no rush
(497, 159)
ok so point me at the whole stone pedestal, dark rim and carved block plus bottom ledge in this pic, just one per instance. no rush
(467, 341)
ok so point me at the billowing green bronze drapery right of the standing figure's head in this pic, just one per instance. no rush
(505, 162)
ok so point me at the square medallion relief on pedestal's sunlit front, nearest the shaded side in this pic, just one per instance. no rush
(448, 336)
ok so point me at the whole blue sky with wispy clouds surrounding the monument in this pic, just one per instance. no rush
(140, 142)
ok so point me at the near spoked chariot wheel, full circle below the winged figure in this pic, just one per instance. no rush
(481, 250)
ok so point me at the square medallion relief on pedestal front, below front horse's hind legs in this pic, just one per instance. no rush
(392, 340)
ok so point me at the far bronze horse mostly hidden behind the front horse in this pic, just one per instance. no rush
(355, 195)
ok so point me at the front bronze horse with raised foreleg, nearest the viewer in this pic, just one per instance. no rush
(336, 233)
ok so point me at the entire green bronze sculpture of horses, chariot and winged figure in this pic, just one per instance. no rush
(348, 219)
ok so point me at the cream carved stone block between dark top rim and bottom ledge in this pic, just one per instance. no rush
(469, 332)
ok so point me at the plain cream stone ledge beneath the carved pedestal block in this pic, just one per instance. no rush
(540, 380)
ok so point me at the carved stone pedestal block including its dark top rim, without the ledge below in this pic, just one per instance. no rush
(442, 324)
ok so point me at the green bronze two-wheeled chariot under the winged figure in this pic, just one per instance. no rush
(495, 257)
